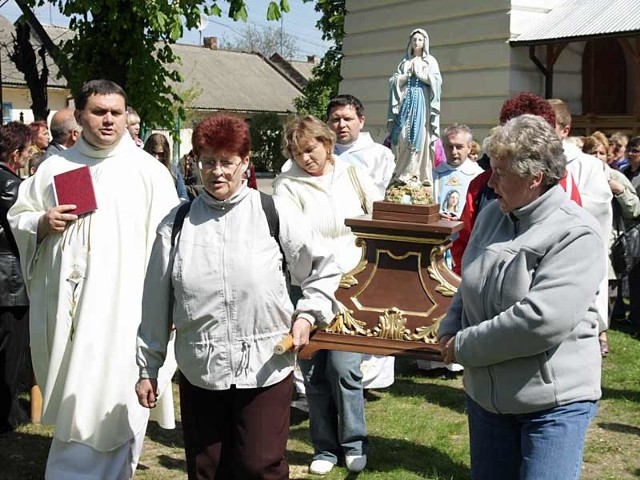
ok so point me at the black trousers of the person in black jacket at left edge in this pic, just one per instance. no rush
(15, 365)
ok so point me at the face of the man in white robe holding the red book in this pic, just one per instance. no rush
(103, 120)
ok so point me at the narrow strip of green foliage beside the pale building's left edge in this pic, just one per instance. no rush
(326, 75)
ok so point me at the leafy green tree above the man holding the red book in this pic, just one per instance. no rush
(129, 42)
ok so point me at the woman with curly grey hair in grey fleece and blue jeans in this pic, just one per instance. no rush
(524, 323)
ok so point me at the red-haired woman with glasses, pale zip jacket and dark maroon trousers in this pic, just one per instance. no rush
(220, 280)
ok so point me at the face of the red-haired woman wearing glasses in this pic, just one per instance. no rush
(222, 172)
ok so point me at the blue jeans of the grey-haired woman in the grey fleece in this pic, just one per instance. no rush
(535, 446)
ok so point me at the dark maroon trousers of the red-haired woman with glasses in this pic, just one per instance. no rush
(236, 434)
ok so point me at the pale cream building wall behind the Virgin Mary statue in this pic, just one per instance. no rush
(469, 38)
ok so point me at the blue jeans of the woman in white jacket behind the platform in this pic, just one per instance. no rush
(333, 383)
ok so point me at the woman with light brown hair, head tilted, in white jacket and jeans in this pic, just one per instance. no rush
(329, 190)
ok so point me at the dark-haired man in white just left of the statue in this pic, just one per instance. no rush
(345, 117)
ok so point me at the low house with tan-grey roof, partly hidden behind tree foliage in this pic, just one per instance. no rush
(240, 83)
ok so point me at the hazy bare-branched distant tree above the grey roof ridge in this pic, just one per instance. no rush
(266, 41)
